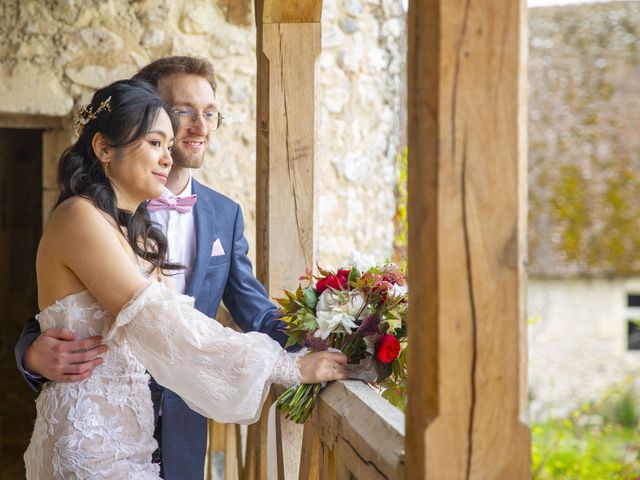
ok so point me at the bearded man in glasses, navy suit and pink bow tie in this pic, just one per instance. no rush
(207, 236)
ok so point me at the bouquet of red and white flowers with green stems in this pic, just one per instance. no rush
(360, 311)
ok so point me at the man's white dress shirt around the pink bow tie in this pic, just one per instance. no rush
(180, 230)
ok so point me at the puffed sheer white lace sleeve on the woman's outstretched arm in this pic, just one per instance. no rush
(218, 372)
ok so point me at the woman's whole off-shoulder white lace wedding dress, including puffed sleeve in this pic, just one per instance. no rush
(103, 426)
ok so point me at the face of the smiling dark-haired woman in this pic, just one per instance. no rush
(140, 171)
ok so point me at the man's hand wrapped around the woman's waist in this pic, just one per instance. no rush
(58, 356)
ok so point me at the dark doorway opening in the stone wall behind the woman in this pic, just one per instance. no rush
(20, 230)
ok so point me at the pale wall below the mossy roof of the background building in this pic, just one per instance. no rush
(578, 342)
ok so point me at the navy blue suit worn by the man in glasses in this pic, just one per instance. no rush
(227, 277)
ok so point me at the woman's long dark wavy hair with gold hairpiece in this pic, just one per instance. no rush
(123, 112)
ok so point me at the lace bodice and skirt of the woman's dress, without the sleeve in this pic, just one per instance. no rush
(102, 427)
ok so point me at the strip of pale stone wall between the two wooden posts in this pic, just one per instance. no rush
(362, 69)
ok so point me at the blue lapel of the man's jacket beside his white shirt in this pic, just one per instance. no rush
(204, 220)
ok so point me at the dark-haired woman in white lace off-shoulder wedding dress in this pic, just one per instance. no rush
(100, 267)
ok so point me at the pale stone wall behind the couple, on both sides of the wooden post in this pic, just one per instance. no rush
(56, 52)
